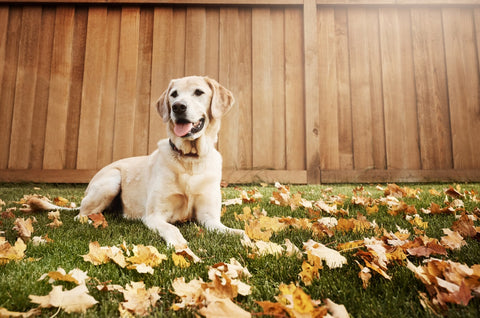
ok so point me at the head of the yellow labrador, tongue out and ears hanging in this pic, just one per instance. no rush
(191, 103)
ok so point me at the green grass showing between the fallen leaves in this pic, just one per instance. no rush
(383, 298)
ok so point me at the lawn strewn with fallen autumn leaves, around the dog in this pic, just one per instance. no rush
(389, 232)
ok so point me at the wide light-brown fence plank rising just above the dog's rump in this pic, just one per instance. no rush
(93, 80)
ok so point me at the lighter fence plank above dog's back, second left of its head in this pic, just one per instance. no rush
(124, 137)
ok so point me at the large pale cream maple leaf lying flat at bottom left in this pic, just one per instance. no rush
(73, 300)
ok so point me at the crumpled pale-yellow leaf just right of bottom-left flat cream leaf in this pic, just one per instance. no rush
(138, 299)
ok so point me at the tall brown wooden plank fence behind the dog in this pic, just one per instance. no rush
(326, 91)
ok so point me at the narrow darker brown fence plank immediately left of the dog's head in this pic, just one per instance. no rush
(142, 111)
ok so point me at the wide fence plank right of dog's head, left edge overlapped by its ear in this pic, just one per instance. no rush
(235, 73)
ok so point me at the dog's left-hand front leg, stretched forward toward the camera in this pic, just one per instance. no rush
(169, 232)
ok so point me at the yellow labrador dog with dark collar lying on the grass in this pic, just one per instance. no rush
(181, 179)
